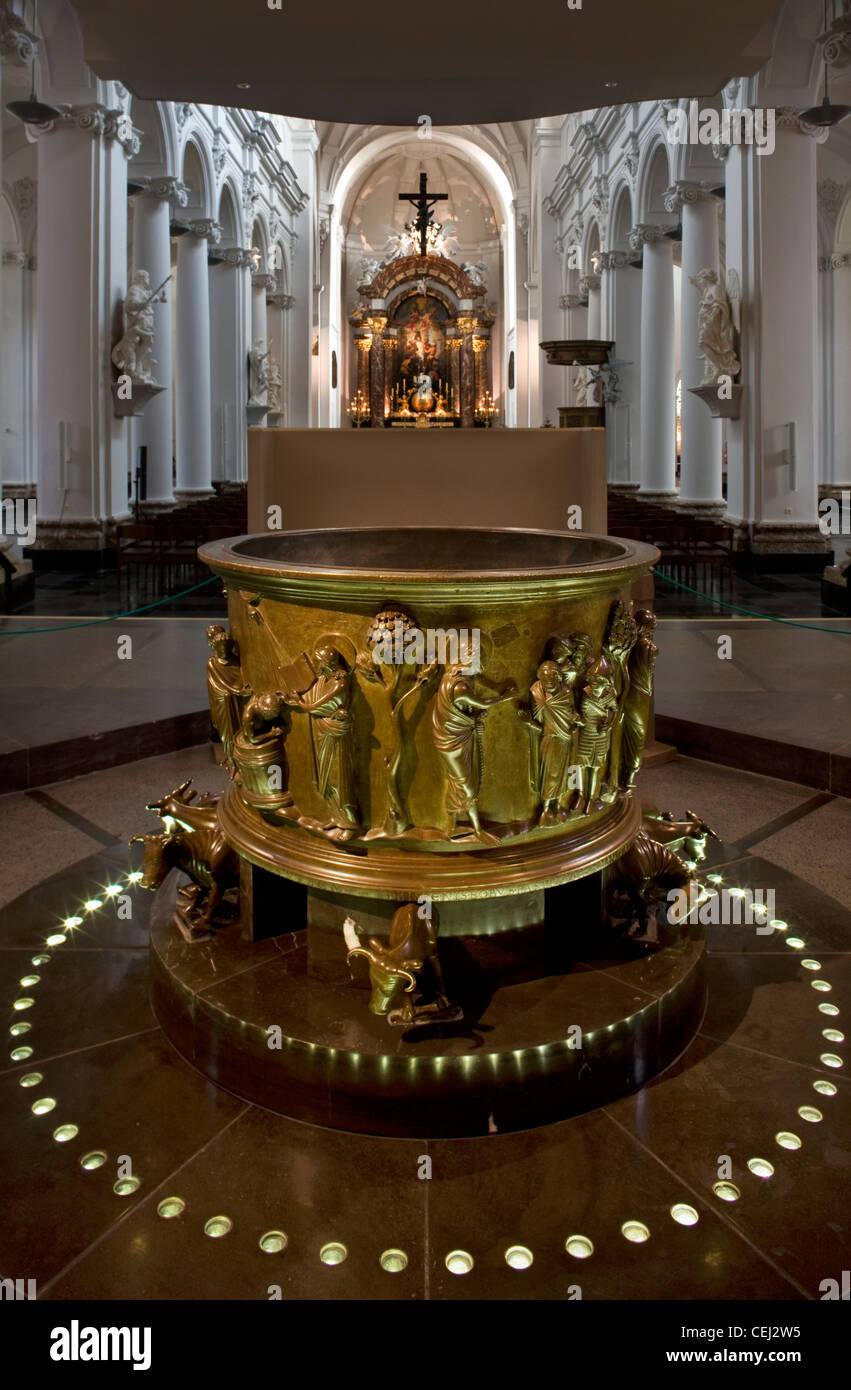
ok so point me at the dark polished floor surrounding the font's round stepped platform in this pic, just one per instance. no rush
(756, 1071)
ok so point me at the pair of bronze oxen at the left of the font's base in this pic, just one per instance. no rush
(194, 843)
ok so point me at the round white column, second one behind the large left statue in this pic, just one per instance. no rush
(194, 434)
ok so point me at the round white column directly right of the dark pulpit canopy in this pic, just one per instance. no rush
(624, 294)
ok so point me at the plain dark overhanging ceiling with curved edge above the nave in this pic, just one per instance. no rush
(384, 63)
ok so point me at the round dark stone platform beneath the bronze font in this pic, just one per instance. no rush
(517, 1060)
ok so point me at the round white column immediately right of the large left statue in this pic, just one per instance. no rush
(152, 252)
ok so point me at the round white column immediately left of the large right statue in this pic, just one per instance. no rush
(702, 452)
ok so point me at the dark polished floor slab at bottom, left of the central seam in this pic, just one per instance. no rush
(269, 1174)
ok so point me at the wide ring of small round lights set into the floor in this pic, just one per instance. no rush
(458, 1261)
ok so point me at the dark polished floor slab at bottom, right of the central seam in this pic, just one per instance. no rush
(585, 1178)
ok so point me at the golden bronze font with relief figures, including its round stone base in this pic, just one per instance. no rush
(428, 901)
